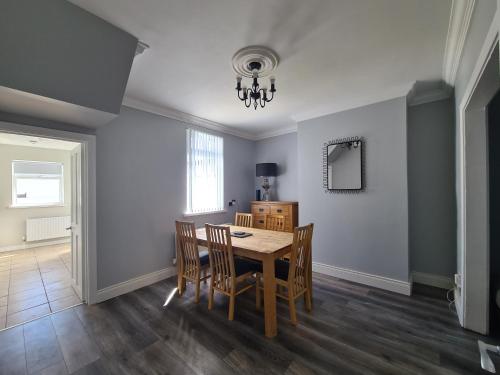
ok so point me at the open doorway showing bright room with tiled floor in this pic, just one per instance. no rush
(40, 231)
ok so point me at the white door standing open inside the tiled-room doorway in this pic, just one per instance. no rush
(76, 218)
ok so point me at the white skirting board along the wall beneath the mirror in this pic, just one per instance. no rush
(393, 285)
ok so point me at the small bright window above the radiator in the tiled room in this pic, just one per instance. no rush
(37, 183)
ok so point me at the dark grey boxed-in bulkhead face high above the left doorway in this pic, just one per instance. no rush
(58, 50)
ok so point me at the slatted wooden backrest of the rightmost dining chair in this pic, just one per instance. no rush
(300, 257)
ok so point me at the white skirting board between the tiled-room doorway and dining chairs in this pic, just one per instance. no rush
(135, 283)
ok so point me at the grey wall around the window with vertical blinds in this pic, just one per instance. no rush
(141, 190)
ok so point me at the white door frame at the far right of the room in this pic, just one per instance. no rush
(472, 301)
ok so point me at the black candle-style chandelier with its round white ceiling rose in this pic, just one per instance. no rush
(255, 62)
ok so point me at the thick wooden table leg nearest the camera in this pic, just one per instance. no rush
(269, 296)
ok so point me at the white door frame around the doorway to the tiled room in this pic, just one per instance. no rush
(88, 191)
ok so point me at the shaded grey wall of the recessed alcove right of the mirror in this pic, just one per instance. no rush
(431, 185)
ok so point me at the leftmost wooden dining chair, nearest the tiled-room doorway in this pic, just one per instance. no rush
(191, 262)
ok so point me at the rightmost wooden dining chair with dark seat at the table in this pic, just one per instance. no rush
(294, 274)
